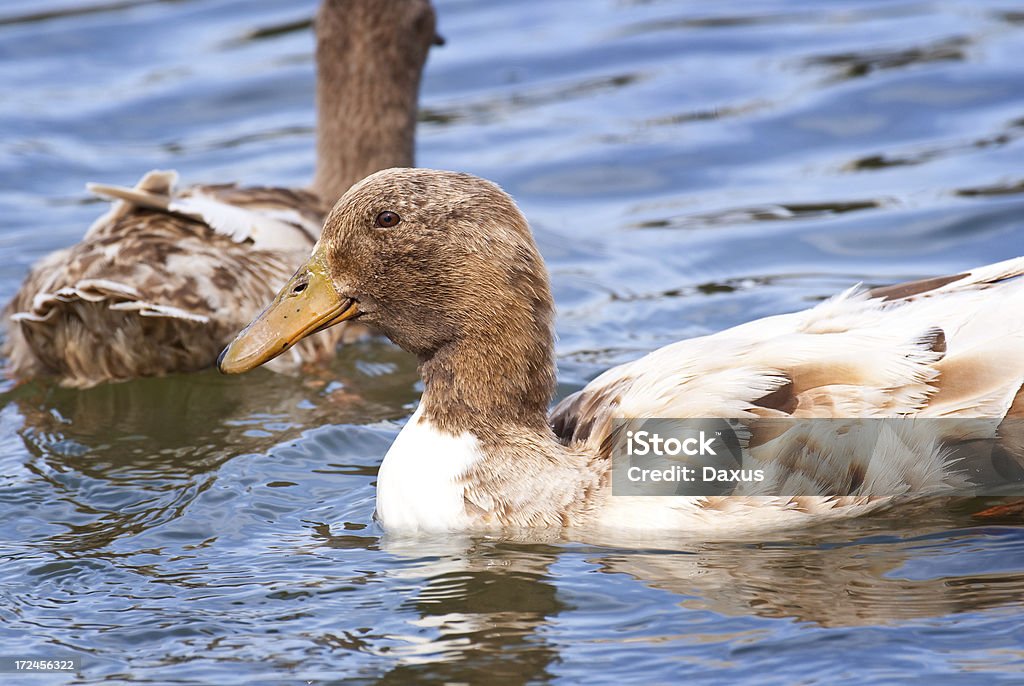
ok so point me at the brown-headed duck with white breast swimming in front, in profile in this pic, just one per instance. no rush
(445, 265)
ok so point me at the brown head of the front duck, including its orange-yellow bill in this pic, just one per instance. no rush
(443, 264)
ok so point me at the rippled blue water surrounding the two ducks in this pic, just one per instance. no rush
(687, 166)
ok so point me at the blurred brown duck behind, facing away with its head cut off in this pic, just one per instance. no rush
(166, 278)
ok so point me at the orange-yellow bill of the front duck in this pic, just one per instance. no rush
(307, 305)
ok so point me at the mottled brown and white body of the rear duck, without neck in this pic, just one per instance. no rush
(161, 281)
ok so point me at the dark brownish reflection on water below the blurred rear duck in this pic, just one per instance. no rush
(124, 458)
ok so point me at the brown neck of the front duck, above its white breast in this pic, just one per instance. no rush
(492, 389)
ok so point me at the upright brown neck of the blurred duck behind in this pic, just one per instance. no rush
(370, 57)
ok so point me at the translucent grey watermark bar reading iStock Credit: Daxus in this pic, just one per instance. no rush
(818, 457)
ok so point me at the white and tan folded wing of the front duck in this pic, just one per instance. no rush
(950, 348)
